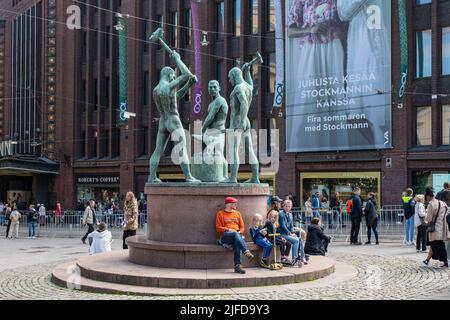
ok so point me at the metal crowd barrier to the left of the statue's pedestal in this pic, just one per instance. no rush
(70, 224)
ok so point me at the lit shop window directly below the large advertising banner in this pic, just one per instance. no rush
(328, 183)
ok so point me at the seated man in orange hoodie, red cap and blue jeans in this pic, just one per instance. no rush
(230, 227)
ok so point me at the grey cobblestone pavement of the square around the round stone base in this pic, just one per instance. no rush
(389, 271)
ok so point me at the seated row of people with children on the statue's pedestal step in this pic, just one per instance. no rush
(279, 228)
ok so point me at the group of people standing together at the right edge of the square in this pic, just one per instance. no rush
(428, 215)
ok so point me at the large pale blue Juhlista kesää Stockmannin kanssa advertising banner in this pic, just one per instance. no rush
(338, 75)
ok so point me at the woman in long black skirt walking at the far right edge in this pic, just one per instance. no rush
(437, 227)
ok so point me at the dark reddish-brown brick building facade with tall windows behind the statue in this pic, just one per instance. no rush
(69, 142)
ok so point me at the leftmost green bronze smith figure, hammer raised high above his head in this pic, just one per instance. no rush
(166, 96)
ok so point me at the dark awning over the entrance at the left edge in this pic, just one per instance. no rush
(27, 166)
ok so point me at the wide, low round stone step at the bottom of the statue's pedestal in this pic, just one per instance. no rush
(112, 272)
